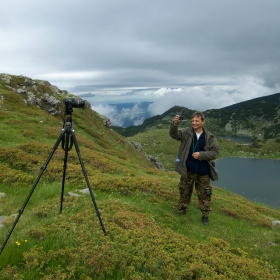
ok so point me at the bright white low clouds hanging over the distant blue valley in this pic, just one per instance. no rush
(199, 98)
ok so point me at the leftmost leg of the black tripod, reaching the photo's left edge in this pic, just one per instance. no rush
(43, 168)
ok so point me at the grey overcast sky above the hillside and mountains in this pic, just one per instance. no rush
(198, 54)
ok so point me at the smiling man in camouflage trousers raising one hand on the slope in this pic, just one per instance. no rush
(198, 147)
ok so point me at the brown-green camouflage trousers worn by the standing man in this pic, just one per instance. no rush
(203, 190)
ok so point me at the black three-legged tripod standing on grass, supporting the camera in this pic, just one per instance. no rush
(67, 138)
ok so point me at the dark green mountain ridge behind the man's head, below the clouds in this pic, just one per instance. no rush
(257, 118)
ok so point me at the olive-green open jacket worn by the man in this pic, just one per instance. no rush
(185, 136)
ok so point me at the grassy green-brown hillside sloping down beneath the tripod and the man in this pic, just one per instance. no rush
(146, 239)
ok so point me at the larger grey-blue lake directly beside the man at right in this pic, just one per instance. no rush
(256, 179)
